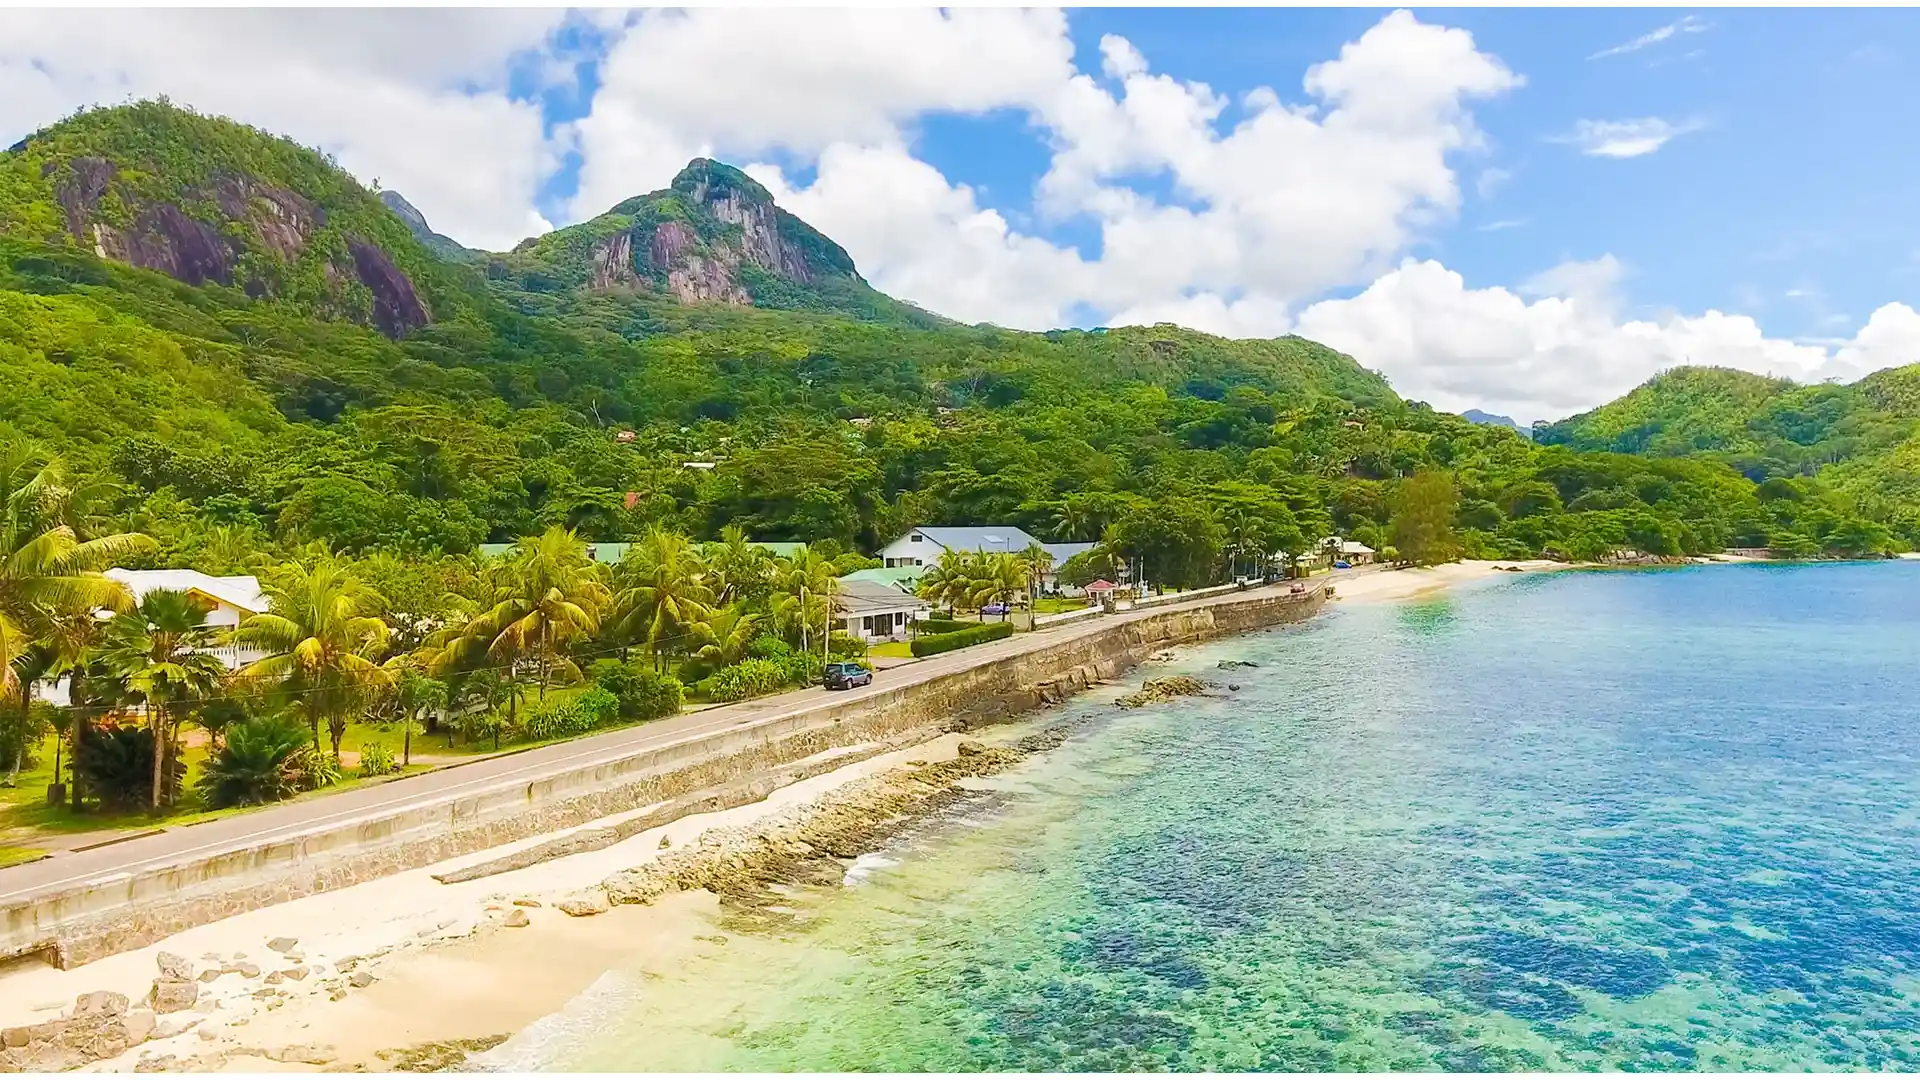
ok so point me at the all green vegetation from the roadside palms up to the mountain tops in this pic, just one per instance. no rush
(350, 445)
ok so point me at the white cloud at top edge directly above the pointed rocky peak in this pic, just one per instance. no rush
(740, 84)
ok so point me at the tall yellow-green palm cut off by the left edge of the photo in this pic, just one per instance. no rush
(47, 568)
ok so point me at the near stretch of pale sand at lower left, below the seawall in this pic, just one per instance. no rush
(443, 962)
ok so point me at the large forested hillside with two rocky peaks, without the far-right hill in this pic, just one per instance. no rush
(260, 353)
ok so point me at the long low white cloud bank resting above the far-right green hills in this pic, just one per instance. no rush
(1566, 351)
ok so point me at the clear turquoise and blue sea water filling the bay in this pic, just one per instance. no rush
(1566, 822)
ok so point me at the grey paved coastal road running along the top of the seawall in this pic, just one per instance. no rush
(224, 835)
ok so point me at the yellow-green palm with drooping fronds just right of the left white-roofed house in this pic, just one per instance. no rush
(322, 639)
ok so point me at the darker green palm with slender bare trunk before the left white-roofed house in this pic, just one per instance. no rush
(162, 652)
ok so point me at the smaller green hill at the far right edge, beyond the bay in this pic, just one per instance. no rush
(1863, 439)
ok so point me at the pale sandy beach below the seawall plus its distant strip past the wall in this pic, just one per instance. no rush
(408, 962)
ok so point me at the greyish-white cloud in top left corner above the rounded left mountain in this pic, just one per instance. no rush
(412, 97)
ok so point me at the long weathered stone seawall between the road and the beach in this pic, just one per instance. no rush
(700, 773)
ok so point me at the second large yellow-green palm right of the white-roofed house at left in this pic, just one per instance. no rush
(554, 597)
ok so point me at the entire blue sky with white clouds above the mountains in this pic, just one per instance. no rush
(1769, 230)
